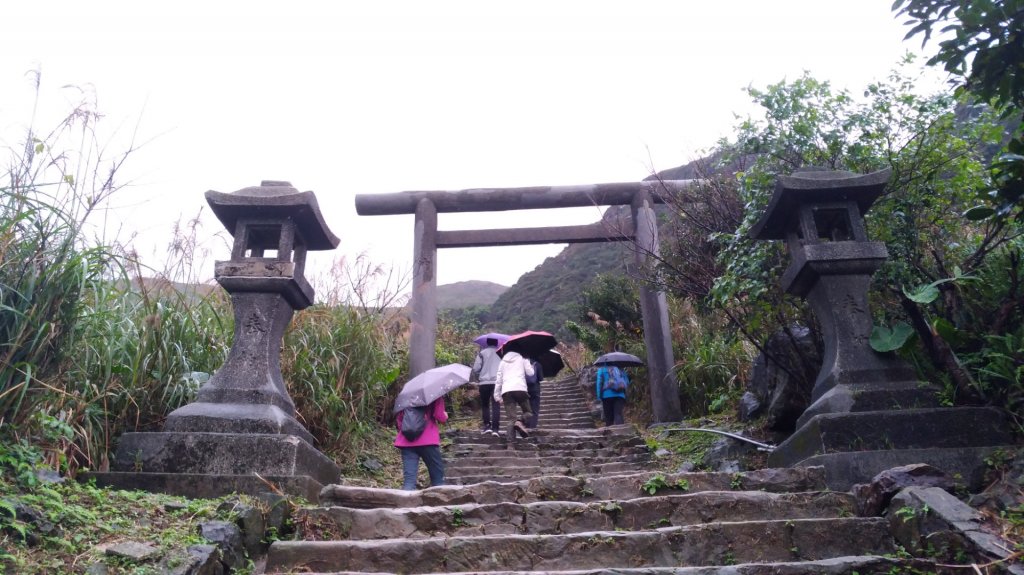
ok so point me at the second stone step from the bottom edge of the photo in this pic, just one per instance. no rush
(710, 545)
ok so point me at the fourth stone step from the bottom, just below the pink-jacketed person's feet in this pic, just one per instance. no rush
(588, 489)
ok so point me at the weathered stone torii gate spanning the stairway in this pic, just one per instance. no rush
(428, 239)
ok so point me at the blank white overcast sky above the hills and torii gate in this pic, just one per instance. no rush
(377, 98)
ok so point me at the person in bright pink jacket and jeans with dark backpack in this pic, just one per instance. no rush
(419, 438)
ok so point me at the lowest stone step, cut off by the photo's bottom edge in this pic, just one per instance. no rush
(854, 565)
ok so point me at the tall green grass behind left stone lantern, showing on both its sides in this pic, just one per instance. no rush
(94, 345)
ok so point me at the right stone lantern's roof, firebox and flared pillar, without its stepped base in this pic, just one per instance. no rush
(821, 215)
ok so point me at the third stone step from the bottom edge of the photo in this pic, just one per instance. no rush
(553, 518)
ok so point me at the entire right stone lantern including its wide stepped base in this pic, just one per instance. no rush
(869, 411)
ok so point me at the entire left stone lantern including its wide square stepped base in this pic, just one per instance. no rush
(243, 422)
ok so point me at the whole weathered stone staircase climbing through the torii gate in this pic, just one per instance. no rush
(573, 499)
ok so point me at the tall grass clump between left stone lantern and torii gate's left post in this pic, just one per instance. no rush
(343, 359)
